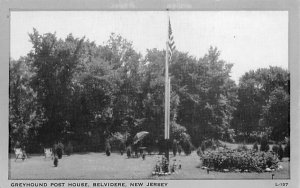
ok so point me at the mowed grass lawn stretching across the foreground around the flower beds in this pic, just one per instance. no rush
(99, 166)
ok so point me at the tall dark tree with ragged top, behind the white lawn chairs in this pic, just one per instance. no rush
(54, 63)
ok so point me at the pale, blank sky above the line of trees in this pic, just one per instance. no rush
(248, 39)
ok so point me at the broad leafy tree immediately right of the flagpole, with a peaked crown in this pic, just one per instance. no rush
(206, 92)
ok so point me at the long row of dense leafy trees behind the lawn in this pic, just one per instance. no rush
(74, 91)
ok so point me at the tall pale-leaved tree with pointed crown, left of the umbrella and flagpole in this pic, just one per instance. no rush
(127, 101)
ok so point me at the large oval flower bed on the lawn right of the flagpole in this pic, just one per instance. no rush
(233, 160)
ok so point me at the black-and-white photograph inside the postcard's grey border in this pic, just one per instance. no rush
(157, 95)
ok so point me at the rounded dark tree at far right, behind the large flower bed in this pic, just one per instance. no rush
(255, 91)
